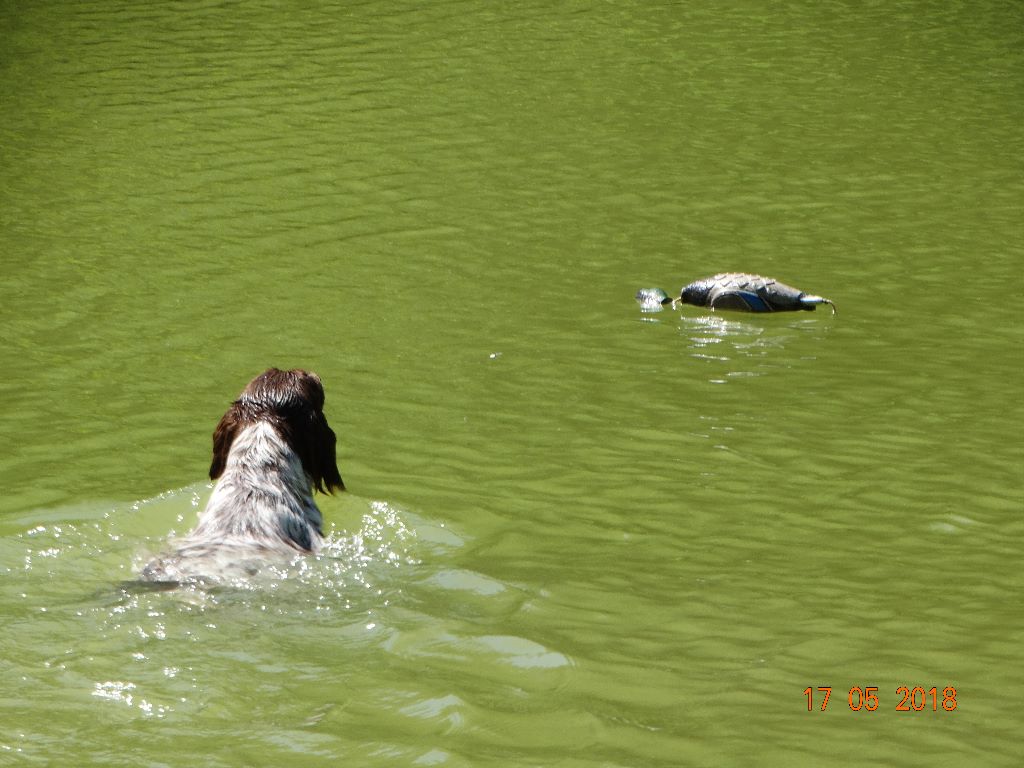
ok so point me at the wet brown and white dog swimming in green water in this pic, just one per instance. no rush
(272, 451)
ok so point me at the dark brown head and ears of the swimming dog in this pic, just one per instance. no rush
(293, 403)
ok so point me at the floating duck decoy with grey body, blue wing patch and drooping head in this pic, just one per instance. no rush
(742, 291)
